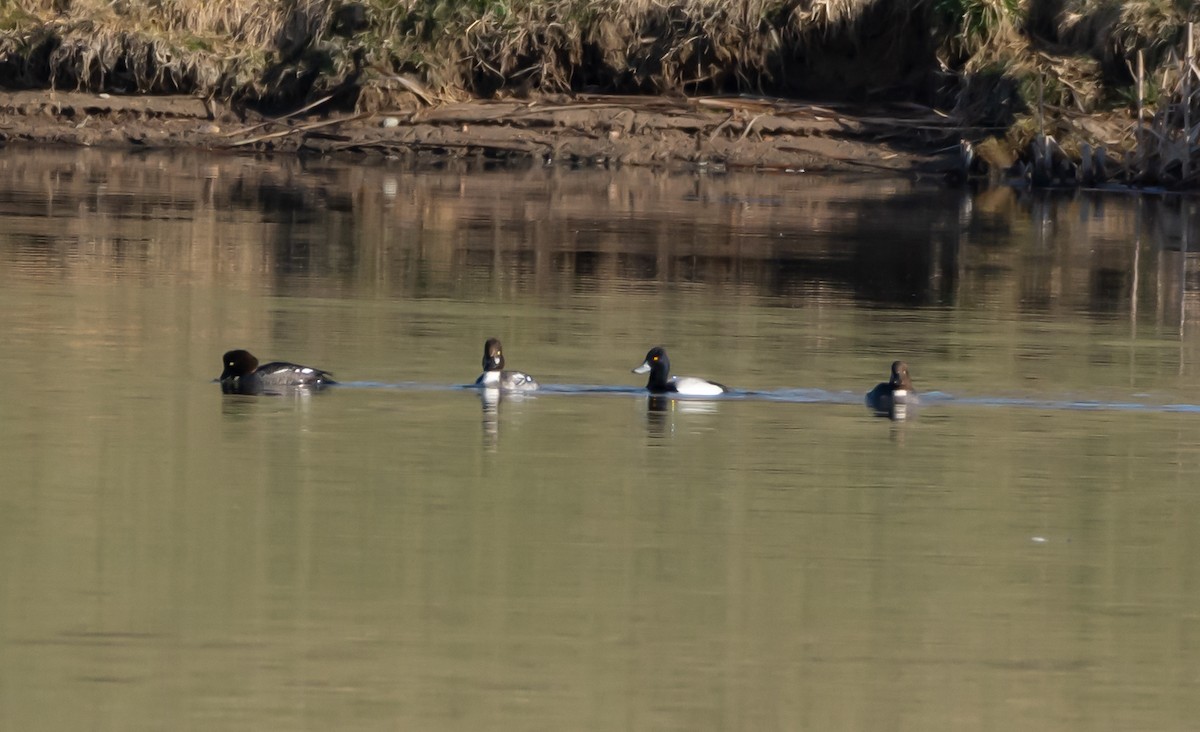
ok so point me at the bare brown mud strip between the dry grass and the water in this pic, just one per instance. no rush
(736, 134)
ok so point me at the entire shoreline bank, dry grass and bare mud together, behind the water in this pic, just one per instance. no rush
(1079, 95)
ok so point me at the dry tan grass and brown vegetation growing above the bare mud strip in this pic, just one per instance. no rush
(1025, 73)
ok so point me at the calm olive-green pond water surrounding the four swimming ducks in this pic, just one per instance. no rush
(398, 554)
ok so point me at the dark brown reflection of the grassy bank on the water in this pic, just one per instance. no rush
(789, 239)
